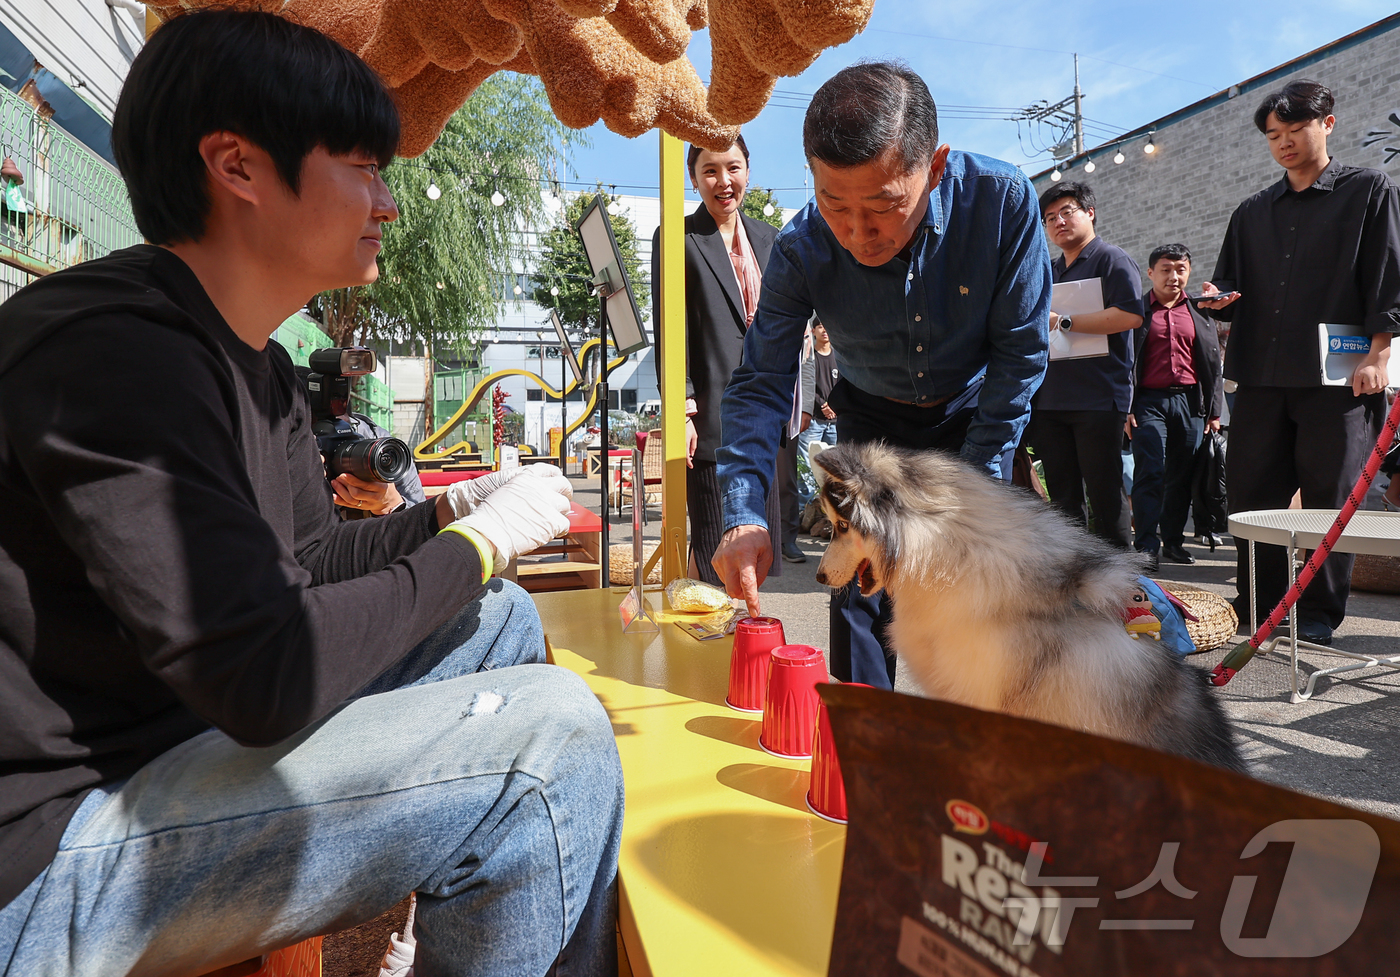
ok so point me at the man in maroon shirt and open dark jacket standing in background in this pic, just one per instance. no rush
(1178, 387)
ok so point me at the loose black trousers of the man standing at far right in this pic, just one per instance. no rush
(1297, 439)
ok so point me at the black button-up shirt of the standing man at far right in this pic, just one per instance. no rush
(1329, 253)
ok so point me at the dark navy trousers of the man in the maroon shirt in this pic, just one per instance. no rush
(1164, 460)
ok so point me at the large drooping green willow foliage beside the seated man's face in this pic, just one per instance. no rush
(447, 262)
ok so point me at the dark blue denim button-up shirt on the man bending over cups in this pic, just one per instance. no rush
(974, 302)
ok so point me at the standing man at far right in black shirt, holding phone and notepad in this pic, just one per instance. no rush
(1322, 246)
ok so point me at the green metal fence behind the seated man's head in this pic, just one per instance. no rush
(72, 205)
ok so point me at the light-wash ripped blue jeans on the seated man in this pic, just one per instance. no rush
(471, 773)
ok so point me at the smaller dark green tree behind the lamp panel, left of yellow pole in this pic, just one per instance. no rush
(565, 267)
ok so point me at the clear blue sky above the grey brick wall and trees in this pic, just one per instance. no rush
(1137, 62)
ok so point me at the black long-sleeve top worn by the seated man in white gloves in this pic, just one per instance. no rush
(169, 555)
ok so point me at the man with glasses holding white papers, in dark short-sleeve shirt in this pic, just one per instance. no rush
(1079, 415)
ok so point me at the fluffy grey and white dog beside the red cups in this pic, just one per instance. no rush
(1006, 605)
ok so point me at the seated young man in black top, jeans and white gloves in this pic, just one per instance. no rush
(229, 720)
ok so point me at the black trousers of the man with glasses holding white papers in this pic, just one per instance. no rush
(1081, 453)
